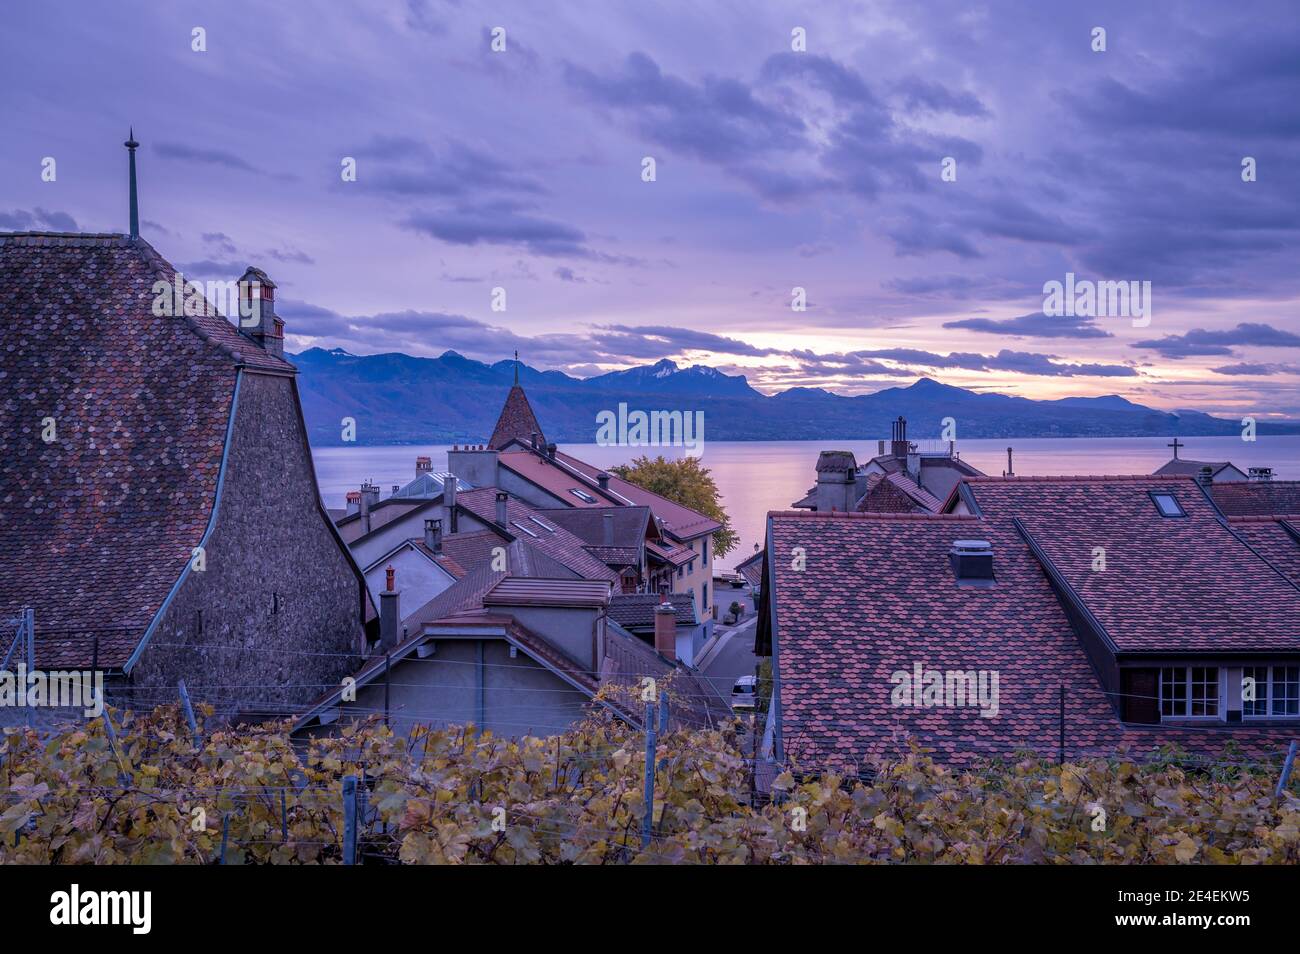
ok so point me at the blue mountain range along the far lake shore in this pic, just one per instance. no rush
(402, 400)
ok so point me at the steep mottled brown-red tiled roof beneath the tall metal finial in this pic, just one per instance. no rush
(99, 524)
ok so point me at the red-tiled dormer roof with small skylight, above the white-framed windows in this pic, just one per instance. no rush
(1171, 584)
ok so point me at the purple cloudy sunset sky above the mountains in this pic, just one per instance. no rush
(794, 146)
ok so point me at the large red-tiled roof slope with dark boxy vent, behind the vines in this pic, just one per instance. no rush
(877, 596)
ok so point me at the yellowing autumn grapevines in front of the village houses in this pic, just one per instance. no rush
(153, 793)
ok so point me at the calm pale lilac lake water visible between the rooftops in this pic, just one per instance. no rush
(759, 476)
